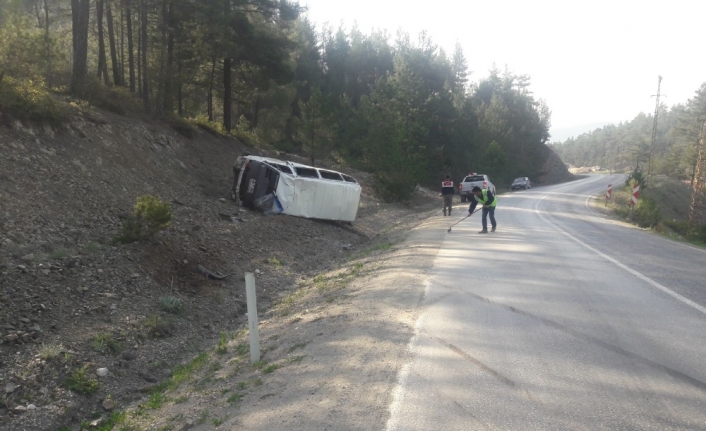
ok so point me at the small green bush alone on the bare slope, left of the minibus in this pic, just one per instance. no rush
(151, 216)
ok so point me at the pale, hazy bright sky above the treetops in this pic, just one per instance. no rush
(592, 61)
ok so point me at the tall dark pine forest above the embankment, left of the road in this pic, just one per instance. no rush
(258, 69)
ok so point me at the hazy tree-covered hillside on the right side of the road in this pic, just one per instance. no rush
(627, 146)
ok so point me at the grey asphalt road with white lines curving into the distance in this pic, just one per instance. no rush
(561, 320)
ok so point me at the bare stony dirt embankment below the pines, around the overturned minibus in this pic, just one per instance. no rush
(71, 301)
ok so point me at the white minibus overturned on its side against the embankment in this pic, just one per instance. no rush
(299, 190)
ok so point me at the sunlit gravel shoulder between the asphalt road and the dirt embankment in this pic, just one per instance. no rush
(332, 348)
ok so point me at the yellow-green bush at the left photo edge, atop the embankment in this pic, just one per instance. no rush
(27, 99)
